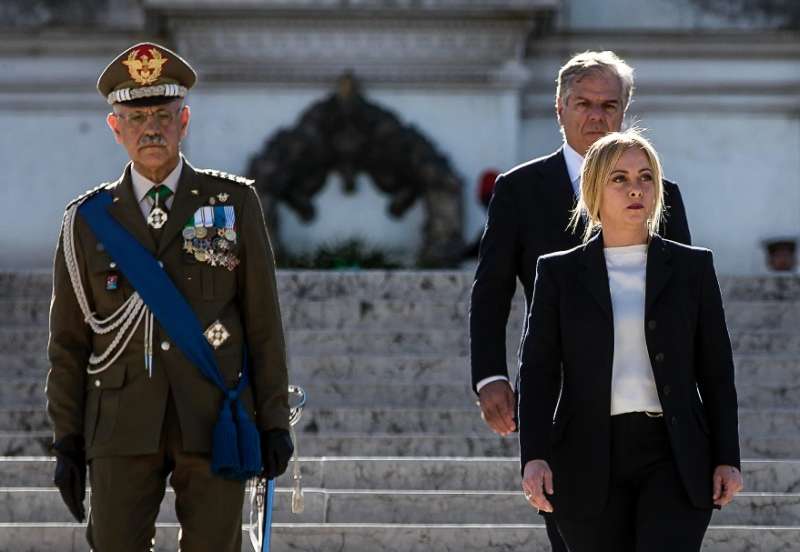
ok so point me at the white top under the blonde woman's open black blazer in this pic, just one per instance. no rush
(633, 387)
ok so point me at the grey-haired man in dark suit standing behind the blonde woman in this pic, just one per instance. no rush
(528, 217)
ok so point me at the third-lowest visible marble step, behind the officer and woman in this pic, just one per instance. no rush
(420, 473)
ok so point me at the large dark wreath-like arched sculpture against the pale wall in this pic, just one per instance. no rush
(347, 134)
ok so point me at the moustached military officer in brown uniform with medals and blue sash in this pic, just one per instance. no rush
(123, 394)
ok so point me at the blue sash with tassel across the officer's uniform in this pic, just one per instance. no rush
(236, 451)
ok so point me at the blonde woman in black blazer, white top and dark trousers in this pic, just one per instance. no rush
(628, 410)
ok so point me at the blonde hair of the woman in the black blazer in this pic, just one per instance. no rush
(600, 161)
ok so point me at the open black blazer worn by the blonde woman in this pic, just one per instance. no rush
(571, 332)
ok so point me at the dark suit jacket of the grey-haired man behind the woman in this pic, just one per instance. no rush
(528, 217)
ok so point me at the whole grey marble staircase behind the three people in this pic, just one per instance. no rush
(395, 455)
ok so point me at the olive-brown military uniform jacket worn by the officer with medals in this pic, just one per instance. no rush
(120, 411)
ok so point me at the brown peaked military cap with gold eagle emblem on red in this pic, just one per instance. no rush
(146, 72)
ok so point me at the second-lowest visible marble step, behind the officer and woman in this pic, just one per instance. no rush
(30, 505)
